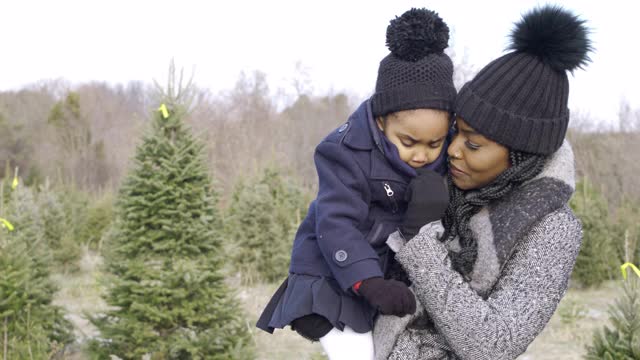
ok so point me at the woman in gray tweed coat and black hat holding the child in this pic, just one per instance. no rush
(489, 280)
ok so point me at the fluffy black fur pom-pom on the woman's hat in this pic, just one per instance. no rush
(558, 37)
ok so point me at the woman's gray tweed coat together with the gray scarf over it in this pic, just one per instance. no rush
(527, 246)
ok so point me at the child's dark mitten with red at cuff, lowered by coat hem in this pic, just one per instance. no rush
(390, 297)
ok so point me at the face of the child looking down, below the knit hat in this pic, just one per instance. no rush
(418, 134)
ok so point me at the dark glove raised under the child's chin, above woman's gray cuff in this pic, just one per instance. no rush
(428, 197)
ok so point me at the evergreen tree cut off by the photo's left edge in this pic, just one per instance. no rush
(31, 326)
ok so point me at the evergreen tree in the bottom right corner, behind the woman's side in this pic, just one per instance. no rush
(622, 342)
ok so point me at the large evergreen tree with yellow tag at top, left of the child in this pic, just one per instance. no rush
(163, 256)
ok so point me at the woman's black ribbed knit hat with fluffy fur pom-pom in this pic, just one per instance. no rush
(520, 99)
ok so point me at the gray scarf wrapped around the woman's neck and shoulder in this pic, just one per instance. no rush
(494, 227)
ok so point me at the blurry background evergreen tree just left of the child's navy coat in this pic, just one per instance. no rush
(263, 218)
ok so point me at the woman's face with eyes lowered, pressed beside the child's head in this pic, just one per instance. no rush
(474, 160)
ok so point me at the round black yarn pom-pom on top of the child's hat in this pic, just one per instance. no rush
(417, 33)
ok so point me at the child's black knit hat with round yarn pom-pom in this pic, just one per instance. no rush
(417, 73)
